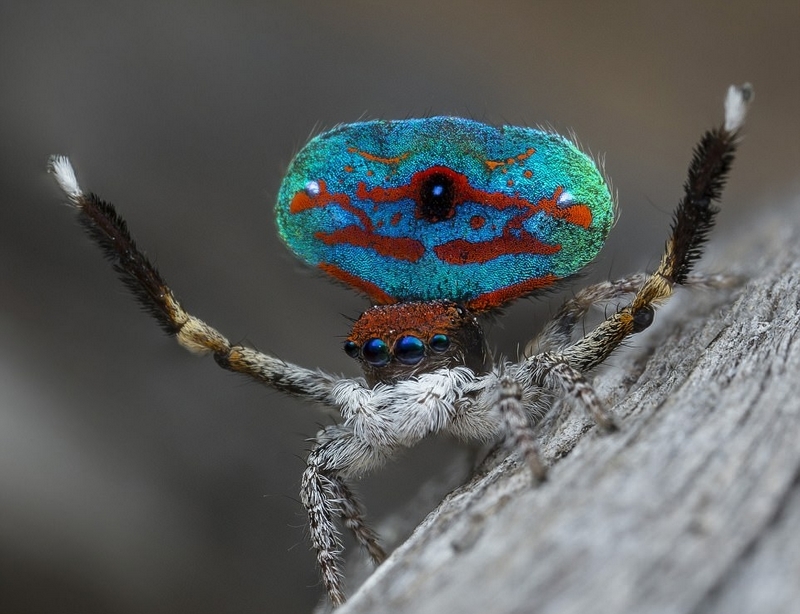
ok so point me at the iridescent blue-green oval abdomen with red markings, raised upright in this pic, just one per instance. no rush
(444, 208)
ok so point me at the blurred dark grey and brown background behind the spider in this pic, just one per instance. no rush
(137, 478)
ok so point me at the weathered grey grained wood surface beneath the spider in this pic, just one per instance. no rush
(693, 507)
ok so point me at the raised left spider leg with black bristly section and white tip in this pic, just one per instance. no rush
(110, 232)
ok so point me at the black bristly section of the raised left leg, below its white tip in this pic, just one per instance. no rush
(108, 230)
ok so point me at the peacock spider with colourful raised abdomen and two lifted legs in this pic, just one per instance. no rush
(438, 221)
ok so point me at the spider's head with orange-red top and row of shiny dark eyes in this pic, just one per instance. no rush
(395, 342)
